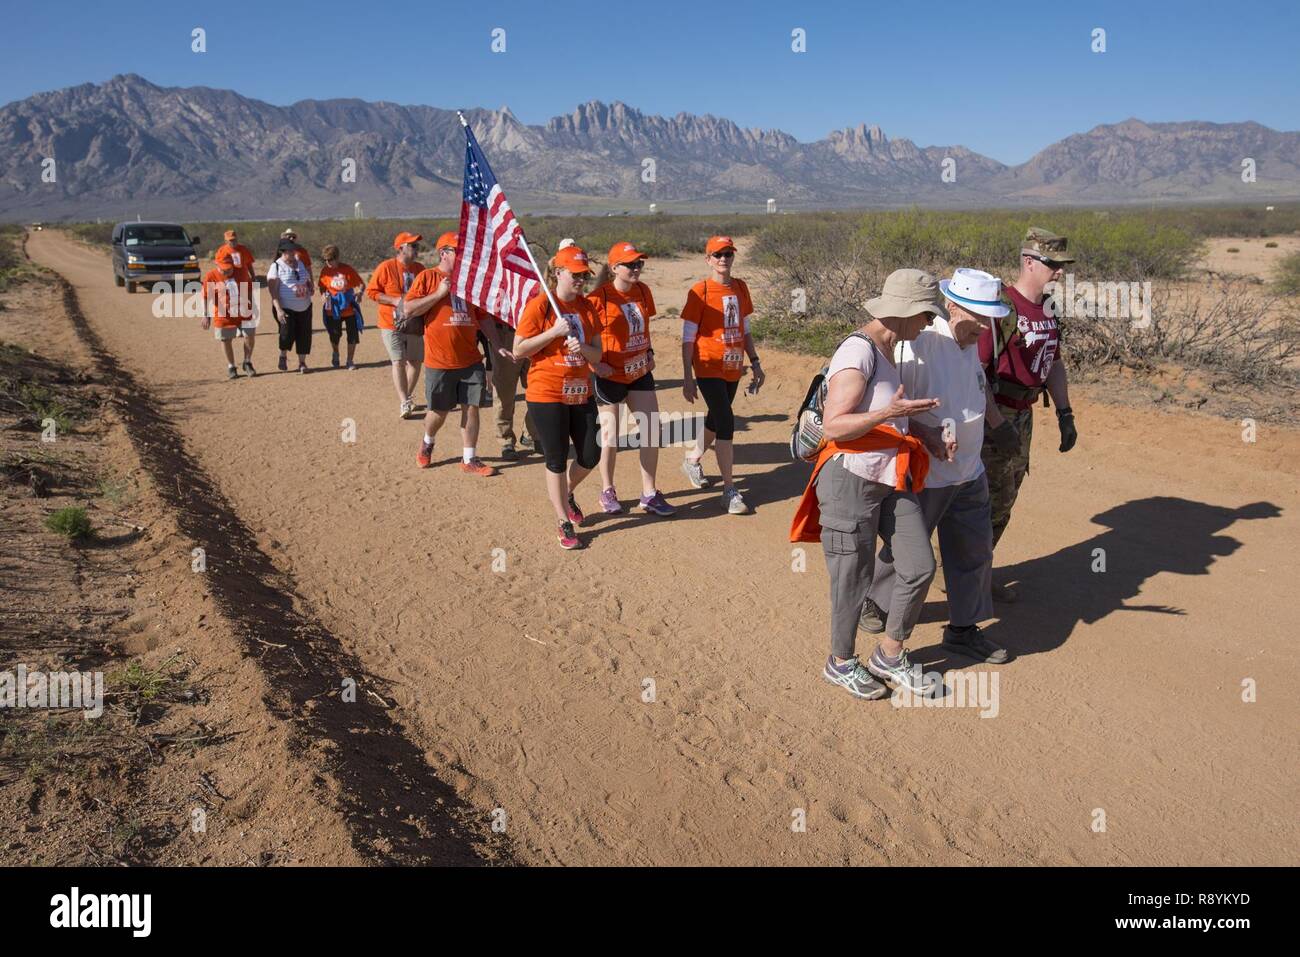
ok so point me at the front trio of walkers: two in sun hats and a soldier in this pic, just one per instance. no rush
(928, 423)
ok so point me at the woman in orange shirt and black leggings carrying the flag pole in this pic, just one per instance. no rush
(564, 350)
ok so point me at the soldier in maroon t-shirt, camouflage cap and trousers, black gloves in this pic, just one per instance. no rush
(1021, 356)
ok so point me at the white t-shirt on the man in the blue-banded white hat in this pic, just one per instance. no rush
(935, 367)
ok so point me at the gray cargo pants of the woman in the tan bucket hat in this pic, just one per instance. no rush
(853, 513)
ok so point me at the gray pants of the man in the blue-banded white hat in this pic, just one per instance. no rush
(961, 514)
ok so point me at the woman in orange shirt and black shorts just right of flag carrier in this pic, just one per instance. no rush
(625, 308)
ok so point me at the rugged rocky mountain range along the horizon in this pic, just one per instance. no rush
(129, 148)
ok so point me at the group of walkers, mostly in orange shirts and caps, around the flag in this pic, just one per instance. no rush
(579, 366)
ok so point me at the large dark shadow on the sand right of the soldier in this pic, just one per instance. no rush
(1143, 539)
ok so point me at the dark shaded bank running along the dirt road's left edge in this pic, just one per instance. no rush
(397, 809)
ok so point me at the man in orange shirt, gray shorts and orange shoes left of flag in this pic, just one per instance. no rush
(454, 374)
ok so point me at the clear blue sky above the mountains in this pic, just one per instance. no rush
(1002, 79)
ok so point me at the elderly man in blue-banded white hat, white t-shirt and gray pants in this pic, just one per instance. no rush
(944, 362)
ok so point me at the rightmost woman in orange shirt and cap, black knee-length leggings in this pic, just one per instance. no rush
(714, 345)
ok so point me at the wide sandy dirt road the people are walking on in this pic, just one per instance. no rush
(525, 688)
